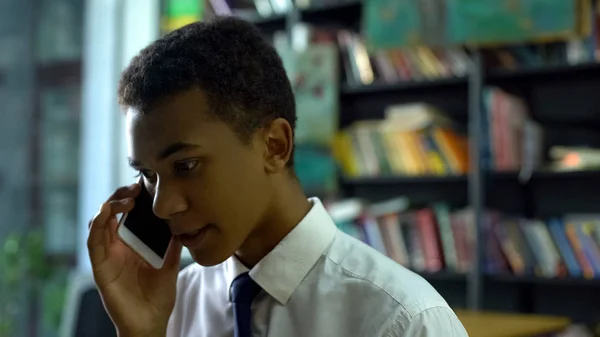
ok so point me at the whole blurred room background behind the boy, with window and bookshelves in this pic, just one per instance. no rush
(460, 138)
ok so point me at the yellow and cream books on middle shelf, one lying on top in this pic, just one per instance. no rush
(413, 139)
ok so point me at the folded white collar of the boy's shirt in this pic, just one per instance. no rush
(280, 272)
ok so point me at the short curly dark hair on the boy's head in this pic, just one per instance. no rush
(227, 58)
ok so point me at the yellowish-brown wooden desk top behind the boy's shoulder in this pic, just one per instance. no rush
(491, 324)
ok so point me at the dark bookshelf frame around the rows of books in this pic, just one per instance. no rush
(562, 98)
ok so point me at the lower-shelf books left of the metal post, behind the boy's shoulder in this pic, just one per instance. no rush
(428, 239)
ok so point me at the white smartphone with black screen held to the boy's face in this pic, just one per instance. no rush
(145, 233)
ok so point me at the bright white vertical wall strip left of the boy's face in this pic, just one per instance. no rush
(115, 32)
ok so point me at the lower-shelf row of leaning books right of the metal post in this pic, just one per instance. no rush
(558, 247)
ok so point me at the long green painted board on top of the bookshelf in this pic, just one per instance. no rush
(400, 23)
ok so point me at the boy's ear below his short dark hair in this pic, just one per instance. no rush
(279, 140)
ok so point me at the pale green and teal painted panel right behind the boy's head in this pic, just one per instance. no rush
(313, 73)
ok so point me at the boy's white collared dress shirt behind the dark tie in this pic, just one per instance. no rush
(317, 282)
